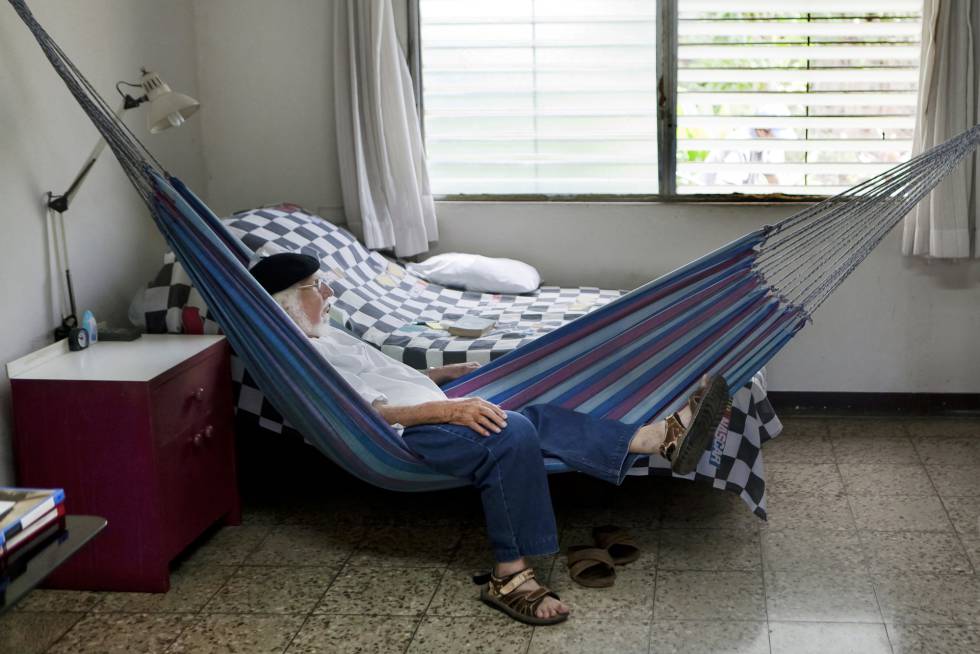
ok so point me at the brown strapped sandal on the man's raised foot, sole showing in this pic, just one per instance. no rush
(683, 446)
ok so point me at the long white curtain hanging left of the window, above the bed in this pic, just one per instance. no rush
(387, 198)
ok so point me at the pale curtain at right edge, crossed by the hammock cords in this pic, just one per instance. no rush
(942, 224)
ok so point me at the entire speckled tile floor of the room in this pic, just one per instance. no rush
(872, 545)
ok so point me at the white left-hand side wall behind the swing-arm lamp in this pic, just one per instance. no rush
(44, 136)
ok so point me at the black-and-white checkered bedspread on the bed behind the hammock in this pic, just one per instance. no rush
(403, 315)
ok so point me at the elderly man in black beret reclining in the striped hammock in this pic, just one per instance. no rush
(500, 452)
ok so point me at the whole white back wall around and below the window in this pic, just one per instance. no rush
(896, 326)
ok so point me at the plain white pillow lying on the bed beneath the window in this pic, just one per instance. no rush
(474, 272)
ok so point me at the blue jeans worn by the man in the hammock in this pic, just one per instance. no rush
(508, 468)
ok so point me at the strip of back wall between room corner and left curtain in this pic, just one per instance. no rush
(267, 98)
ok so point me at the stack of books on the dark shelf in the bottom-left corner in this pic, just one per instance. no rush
(28, 517)
